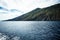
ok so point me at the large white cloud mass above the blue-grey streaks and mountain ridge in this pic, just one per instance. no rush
(27, 5)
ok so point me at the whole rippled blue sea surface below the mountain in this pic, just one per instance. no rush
(30, 30)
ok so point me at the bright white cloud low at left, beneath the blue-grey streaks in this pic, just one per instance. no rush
(10, 15)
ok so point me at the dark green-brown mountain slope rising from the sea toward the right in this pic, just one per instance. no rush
(51, 13)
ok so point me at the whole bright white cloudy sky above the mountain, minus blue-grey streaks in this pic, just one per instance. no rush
(23, 6)
